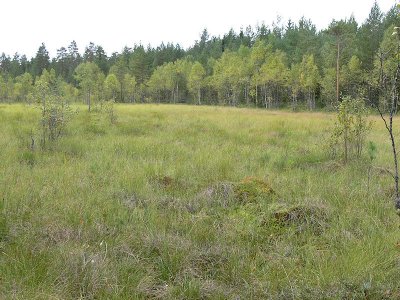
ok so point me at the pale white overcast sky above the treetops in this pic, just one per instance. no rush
(113, 24)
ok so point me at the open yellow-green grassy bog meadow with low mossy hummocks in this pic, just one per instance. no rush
(185, 202)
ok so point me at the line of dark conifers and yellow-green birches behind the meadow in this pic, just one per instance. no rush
(268, 66)
